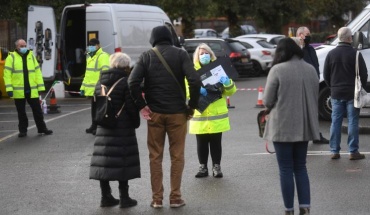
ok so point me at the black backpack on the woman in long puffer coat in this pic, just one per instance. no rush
(105, 115)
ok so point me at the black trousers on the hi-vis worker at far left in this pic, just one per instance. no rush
(38, 116)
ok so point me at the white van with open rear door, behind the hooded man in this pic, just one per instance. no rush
(119, 28)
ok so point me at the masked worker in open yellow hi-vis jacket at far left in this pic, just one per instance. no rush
(23, 81)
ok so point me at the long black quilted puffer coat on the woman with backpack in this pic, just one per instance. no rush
(116, 153)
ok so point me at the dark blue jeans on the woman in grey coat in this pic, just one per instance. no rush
(291, 157)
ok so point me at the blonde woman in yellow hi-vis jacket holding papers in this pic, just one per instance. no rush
(209, 125)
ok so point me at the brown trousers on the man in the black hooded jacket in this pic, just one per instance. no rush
(175, 126)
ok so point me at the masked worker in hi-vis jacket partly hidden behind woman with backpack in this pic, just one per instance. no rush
(96, 62)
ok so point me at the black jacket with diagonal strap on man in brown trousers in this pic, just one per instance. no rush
(162, 93)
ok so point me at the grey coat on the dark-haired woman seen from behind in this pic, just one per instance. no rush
(291, 93)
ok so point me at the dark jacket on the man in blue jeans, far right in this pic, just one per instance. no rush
(339, 71)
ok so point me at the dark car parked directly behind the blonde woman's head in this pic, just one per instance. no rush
(238, 54)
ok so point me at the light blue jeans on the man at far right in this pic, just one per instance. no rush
(340, 108)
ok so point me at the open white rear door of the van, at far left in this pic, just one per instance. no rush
(41, 38)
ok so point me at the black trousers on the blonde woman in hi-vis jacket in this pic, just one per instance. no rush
(206, 143)
